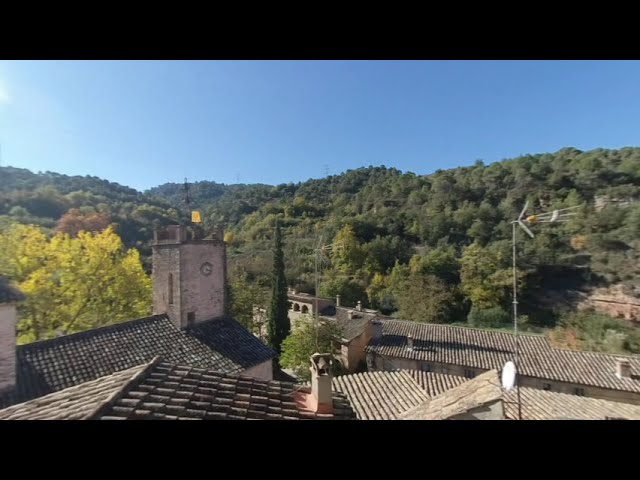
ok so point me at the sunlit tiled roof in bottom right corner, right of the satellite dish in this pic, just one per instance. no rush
(547, 405)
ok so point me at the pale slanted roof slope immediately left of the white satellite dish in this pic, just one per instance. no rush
(482, 390)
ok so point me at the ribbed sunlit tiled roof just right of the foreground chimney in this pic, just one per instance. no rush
(380, 395)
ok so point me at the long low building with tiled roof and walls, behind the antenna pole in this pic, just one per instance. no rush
(467, 352)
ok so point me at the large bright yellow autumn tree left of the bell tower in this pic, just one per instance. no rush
(73, 284)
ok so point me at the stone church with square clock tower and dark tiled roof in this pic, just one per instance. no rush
(189, 327)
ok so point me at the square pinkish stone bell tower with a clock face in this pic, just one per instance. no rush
(189, 275)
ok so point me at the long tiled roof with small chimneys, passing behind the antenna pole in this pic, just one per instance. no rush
(485, 349)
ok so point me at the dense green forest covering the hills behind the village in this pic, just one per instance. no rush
(431, 248)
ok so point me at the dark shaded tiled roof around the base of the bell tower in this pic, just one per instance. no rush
(52, 365)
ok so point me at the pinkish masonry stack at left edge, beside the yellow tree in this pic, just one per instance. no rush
(9, 297)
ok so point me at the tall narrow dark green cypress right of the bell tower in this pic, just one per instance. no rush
(279, 325)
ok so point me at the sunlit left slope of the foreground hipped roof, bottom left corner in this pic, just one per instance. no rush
(74, 403)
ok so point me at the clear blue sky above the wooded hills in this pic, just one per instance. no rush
(143, 123)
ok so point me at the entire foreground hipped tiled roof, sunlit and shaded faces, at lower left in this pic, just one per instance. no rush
(164, 391)
